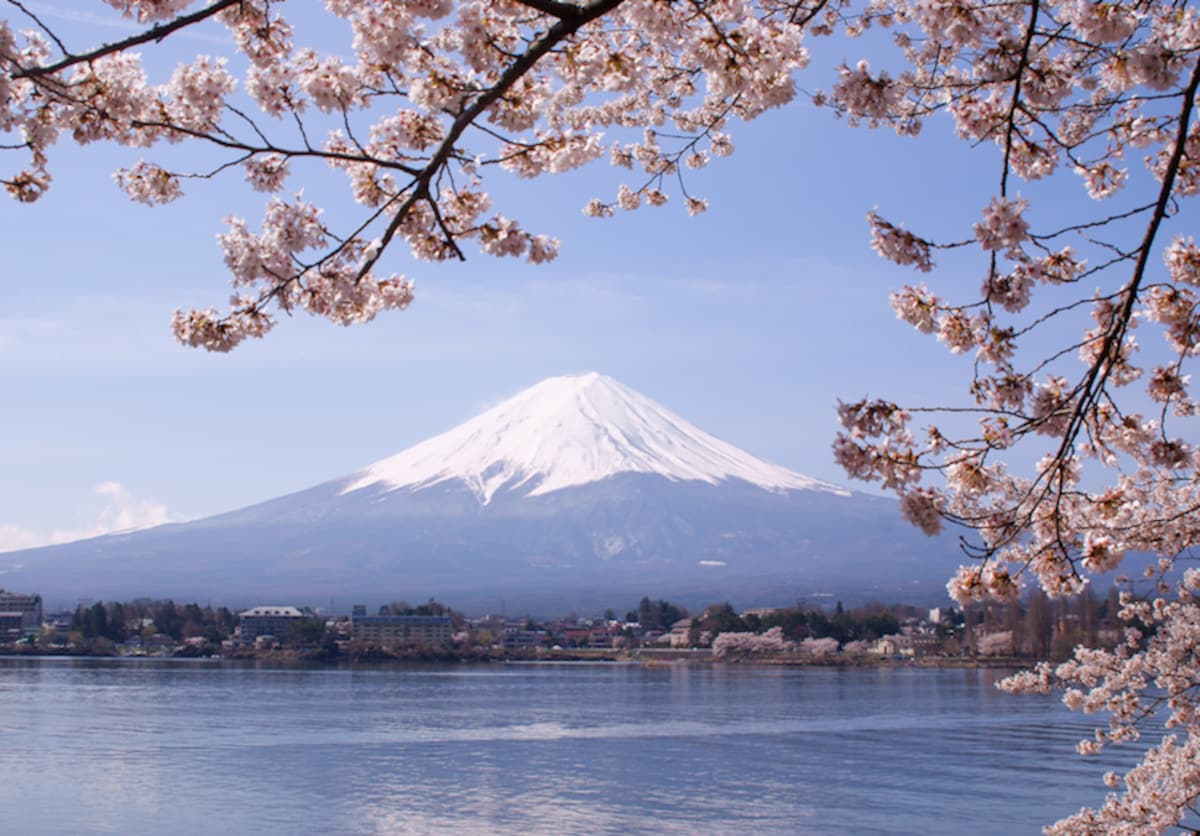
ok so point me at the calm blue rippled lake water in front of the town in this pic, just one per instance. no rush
(163, 747)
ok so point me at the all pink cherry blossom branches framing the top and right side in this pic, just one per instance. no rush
(1071, 450)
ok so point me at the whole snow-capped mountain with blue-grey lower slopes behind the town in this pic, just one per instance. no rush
(575, 494)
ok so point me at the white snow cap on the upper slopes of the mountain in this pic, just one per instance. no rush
(572, 431)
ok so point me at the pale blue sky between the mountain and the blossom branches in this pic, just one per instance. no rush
(749, 321)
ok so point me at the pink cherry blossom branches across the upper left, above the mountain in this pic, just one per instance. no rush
(435, 94)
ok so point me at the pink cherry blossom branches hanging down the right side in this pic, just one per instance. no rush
(1093, 89)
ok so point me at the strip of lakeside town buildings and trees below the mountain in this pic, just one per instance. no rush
(1015, 633)
